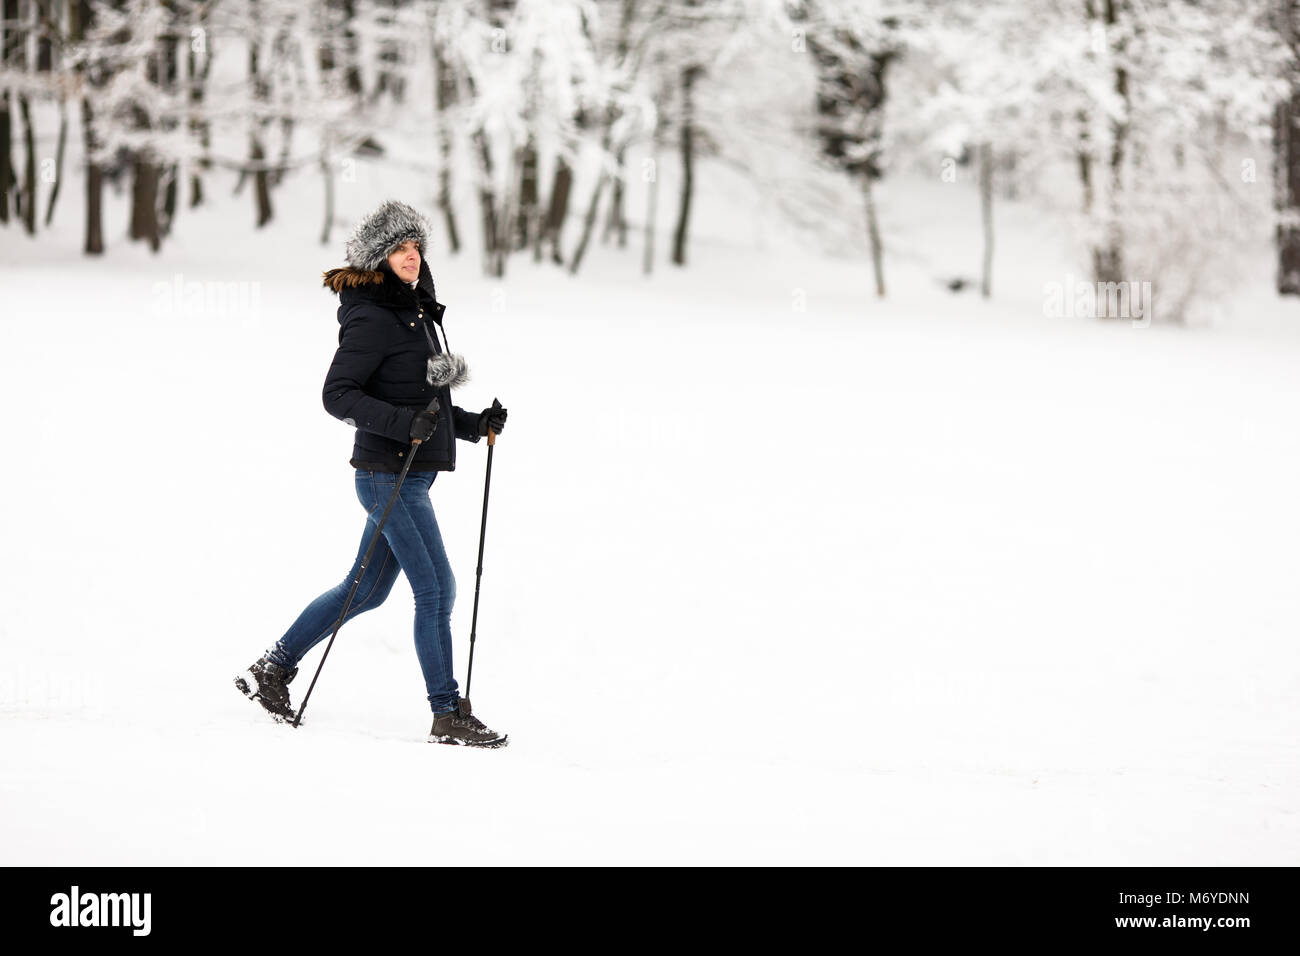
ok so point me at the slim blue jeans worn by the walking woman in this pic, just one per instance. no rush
(411, 543)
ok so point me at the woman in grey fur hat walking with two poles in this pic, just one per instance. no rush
(388, 369)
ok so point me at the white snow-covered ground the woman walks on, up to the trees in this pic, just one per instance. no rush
(774, 573)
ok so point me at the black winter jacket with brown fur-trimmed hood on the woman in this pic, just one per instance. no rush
(378, 379)
